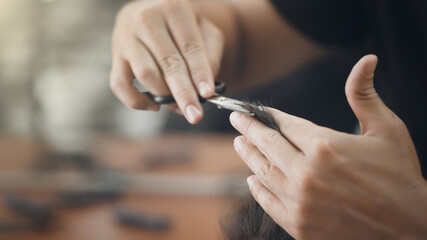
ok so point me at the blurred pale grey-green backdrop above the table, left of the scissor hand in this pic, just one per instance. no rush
(54, 72)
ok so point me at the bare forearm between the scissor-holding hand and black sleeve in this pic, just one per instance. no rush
(260, 45)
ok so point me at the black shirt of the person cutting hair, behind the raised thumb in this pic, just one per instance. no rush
(396, 31)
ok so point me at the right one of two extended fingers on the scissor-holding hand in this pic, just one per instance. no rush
(184, 28)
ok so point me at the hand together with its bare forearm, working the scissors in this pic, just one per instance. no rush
(178, 47)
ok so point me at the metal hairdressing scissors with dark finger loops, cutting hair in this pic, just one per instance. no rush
(220, 101)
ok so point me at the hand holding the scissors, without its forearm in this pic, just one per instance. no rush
(169, 48)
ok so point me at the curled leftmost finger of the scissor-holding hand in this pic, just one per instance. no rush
(121, 85)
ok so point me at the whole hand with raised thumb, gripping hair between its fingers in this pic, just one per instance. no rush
(318, 183)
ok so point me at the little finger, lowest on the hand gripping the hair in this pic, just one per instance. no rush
(269, 202)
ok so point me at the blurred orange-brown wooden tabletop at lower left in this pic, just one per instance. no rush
(194, 214)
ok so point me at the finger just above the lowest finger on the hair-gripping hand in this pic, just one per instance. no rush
(272, 177)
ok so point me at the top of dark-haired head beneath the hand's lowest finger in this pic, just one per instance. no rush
(247, 220)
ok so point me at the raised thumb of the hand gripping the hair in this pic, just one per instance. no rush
(362, 97)
